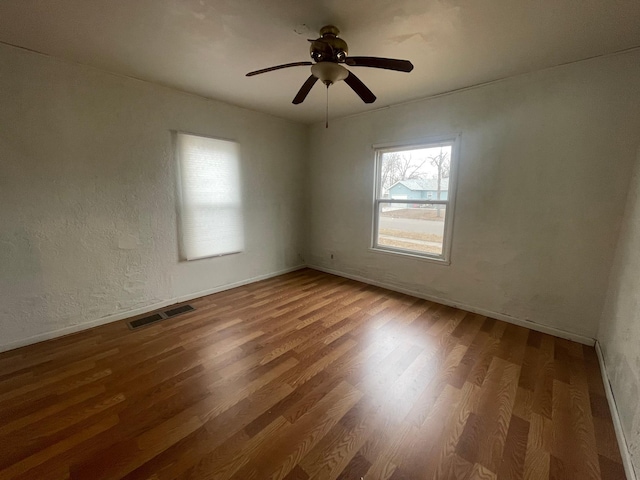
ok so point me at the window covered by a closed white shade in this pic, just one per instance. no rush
(210, 209)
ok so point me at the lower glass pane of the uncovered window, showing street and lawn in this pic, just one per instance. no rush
(417, 228)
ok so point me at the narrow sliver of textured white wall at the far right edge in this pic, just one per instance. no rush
(619, 333)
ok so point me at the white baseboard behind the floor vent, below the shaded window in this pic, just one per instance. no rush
(138, 311)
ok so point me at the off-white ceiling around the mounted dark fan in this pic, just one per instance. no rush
(207, 46)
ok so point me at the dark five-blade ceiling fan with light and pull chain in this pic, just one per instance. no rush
(329, 52)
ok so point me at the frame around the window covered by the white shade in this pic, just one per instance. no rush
(180, 201)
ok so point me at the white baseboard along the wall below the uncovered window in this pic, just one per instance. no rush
(556, 332)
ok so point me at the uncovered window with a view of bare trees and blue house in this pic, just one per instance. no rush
(414, 195)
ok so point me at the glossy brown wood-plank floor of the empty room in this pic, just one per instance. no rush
(306, 376)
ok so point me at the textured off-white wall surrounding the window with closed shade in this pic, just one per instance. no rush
(87, 196)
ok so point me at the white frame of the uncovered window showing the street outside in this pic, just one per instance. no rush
(379, 149)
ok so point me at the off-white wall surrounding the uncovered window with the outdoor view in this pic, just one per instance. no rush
(544, 170)
